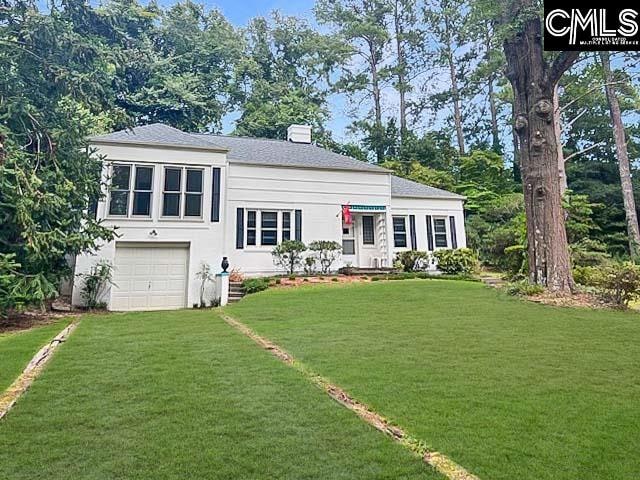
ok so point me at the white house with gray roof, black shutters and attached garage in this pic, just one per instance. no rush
(178, 199)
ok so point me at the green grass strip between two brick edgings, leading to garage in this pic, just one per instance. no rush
(176, 395)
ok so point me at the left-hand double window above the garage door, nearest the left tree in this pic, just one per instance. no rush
(131, 191)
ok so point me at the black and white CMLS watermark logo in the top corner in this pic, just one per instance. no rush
(591, 29)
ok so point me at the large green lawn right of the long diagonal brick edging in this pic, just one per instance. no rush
(508, 389)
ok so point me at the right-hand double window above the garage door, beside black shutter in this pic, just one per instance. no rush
(182, 192)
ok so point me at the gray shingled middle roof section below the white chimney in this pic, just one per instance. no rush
(288, 154)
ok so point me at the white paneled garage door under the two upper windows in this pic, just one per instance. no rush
(150, 277)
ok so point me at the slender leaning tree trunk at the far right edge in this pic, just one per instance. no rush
(623, 157)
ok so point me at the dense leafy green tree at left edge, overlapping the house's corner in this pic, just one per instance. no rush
(53, 85)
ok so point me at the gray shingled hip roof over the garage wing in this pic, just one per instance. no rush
(157, 134)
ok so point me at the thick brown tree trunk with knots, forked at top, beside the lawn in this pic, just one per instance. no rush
(533, 82)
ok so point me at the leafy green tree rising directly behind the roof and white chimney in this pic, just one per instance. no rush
(283, 77)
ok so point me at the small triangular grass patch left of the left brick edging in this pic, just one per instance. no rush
(18, 348)
